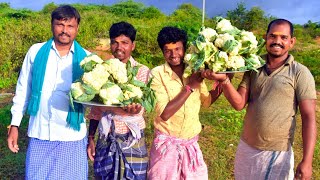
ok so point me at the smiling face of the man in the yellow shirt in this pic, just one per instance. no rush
(174, 53)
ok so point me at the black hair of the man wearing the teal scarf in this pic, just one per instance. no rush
(65, 12)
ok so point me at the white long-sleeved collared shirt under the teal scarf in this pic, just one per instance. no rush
(50, 121)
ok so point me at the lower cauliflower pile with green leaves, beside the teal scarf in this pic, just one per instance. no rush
(111, 82)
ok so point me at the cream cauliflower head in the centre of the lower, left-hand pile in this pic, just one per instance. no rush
(96, 78)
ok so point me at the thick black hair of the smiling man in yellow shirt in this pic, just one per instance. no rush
(172, 35)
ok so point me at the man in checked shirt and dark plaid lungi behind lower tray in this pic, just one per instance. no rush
(121, 151)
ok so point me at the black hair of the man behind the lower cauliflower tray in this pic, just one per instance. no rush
(122, 28)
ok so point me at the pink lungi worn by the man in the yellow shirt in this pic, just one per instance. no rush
(176, 159)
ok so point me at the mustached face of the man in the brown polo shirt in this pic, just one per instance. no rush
(279, 40)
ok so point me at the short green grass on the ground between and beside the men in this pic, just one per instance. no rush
(218, 141)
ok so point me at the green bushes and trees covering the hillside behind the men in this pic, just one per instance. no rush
(19, 29)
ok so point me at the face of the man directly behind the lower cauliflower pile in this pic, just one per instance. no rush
(121, 48)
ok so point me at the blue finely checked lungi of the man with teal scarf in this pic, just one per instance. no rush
(48, 160)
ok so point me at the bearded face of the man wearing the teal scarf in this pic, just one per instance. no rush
(64, 31)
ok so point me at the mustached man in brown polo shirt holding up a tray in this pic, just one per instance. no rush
(273, 95)
